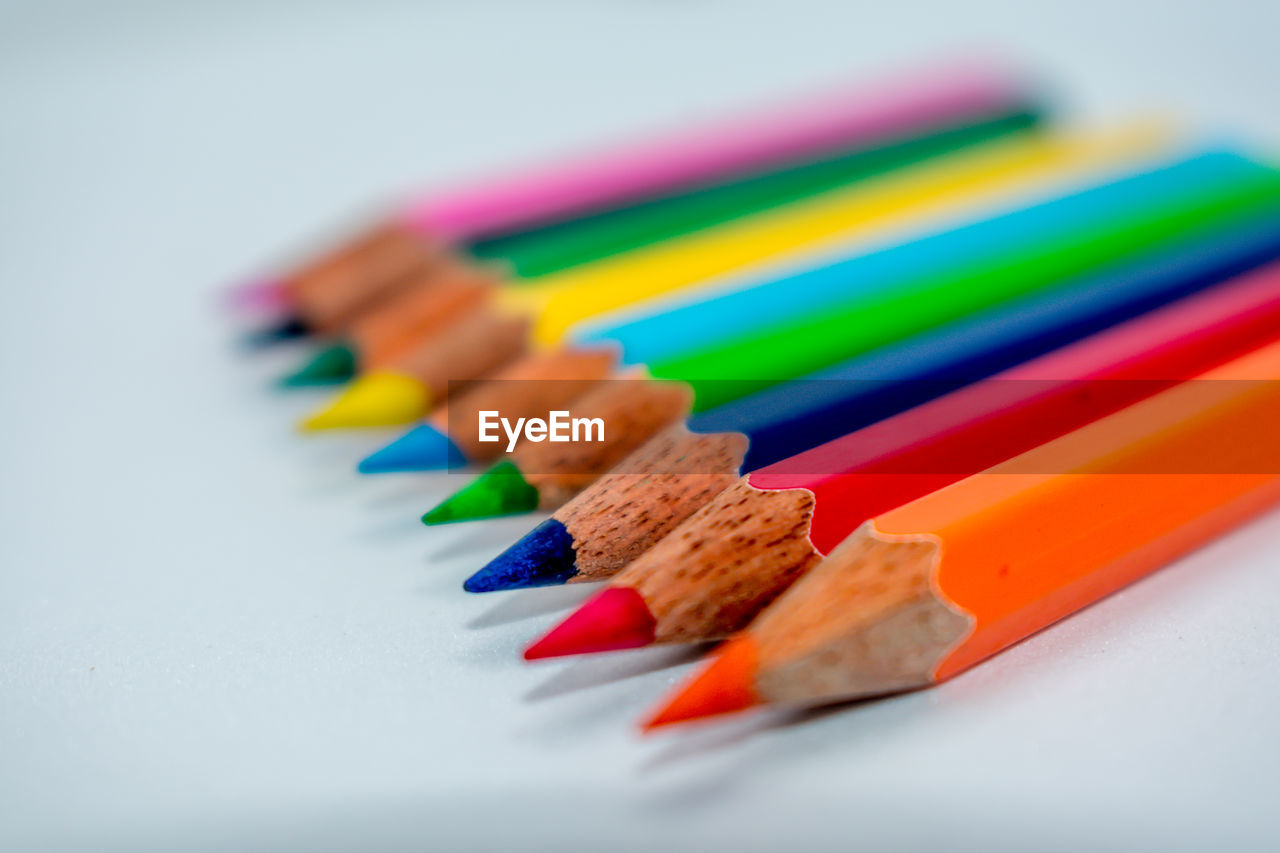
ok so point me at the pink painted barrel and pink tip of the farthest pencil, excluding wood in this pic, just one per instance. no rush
(774, 138)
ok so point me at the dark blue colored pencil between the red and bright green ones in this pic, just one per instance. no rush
(627, 513)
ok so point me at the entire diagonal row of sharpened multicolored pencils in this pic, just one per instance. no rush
(889, 380)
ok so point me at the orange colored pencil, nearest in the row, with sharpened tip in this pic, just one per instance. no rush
(929, 590)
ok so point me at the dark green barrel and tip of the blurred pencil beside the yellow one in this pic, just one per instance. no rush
(552, 250)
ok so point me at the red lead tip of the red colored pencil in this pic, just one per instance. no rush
(612, 621)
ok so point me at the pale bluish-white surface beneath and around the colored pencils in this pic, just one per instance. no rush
(214, 636)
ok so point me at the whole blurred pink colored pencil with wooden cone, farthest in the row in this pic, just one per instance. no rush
(323, 293)
